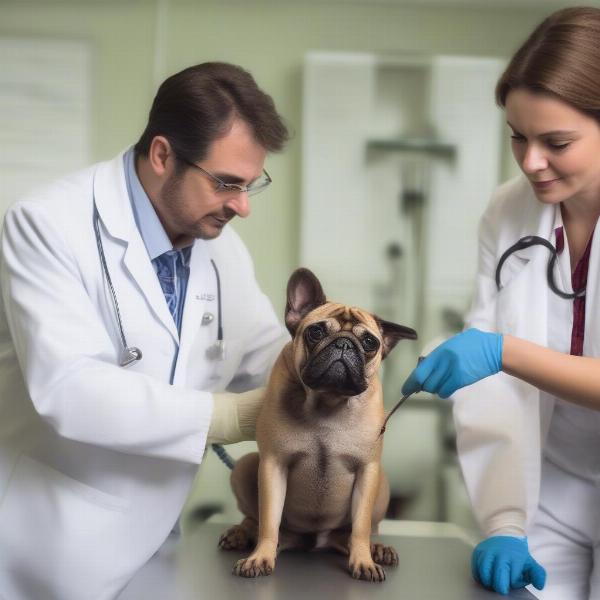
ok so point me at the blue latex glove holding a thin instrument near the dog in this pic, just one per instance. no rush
(459, 361)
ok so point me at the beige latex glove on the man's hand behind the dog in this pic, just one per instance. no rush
(234, 416)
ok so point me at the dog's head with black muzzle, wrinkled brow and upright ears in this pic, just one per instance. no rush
(337, 348)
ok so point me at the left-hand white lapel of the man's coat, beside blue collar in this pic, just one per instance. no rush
(114, 208)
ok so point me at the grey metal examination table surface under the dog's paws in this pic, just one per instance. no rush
(192, 568)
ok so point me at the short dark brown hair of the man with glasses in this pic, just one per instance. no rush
(197, 105)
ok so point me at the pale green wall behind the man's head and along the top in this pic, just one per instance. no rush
(269, 38)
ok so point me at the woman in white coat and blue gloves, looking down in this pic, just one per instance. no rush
(529, 436)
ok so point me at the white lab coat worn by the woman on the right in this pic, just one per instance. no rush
(501, 423)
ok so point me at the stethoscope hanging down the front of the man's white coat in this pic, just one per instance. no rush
(130, 354)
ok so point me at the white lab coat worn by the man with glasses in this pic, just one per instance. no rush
(96, 460)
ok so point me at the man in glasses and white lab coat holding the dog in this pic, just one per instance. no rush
(127, 303)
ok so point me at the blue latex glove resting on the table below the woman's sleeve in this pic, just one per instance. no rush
(503, 562)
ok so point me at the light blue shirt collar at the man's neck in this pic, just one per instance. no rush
(153, 233)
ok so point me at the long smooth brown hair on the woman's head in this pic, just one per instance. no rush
(561, 58)
